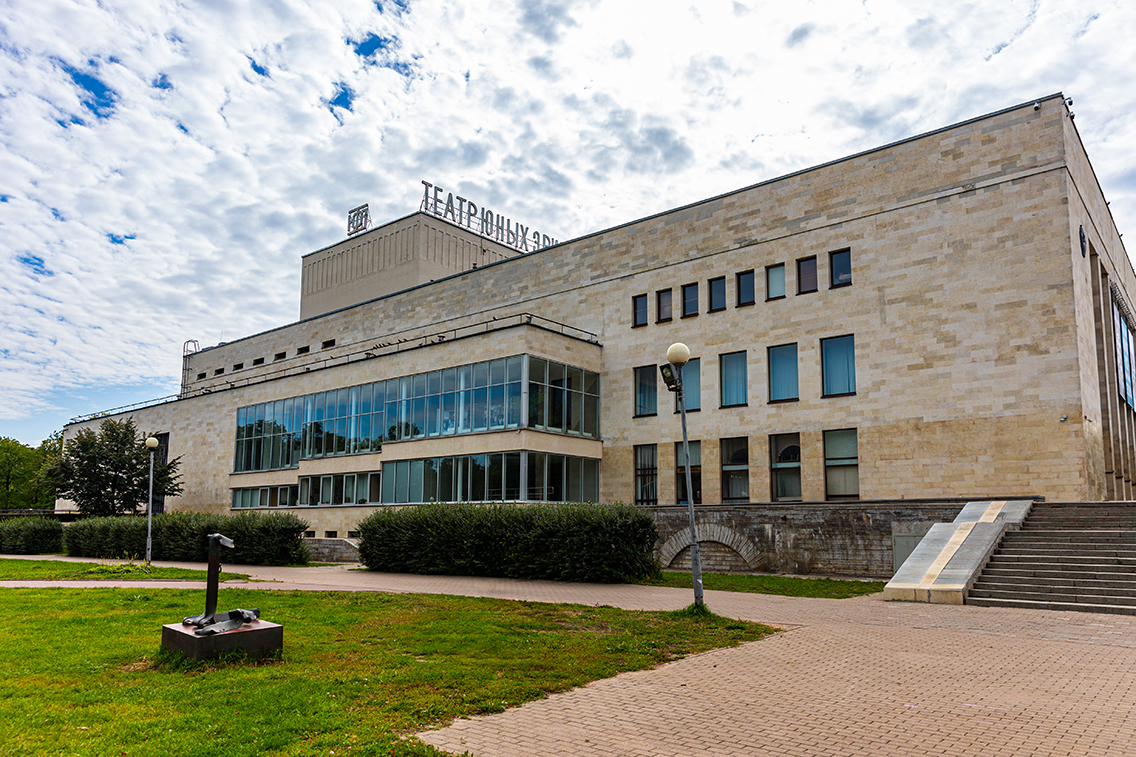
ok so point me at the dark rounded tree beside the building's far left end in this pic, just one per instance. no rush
(108, 473)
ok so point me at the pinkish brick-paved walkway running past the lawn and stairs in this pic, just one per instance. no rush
(855, 677)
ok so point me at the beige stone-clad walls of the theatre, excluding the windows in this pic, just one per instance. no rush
(985, 361)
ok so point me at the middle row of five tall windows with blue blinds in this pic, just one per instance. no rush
(838, 370)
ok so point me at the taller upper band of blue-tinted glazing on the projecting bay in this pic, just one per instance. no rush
(489, 396)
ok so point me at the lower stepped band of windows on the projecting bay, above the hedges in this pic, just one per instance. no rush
(497, 477)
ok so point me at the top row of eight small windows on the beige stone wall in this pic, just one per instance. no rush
(840, 272)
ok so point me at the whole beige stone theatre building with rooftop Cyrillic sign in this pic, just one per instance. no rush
(947, 317)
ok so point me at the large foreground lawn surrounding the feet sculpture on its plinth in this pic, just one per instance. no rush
(361, 672)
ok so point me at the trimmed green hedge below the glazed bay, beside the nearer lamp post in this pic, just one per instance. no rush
(597, 544)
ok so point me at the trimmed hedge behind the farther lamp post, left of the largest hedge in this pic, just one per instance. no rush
(258, 539)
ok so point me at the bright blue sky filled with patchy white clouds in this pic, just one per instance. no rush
(165, 164)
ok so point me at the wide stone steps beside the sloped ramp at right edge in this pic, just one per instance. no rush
(1066, 556)
